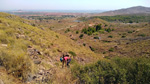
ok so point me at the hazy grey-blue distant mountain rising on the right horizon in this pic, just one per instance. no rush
(132, 10)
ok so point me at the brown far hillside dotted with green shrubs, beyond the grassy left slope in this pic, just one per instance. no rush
(112, 39)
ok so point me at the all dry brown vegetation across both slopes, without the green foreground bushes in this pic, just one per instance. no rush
(32, 49)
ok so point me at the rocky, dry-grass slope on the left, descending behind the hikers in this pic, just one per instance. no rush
(31, 54)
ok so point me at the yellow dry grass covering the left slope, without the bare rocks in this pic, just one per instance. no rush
(18, 34)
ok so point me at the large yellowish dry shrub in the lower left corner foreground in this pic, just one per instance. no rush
(17, 64)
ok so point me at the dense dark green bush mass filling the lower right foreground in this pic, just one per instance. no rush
(114, 71)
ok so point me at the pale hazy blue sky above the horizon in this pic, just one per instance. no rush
(70, 4)
